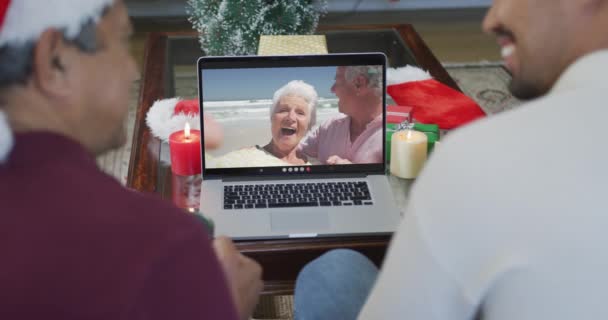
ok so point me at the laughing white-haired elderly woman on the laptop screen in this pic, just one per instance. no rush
(292, 115)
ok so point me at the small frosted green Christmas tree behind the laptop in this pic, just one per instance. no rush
(233, 27)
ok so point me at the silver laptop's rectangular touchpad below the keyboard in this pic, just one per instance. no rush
(299, 220)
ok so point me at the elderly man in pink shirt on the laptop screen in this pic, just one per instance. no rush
(356, 135)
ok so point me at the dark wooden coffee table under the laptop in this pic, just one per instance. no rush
(170, 62)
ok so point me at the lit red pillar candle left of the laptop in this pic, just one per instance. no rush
(185, 147)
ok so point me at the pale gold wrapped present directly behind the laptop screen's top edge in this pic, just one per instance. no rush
(286, 45)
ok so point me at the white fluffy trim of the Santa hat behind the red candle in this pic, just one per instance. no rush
(163, 123)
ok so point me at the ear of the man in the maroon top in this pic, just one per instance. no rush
(50, 71)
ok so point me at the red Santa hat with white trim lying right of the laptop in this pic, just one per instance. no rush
(431, 100)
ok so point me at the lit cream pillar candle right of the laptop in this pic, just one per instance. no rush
(408, 153)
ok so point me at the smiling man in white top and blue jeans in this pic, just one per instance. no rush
(508, 218)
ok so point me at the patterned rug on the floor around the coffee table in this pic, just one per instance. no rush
(486, 83)
